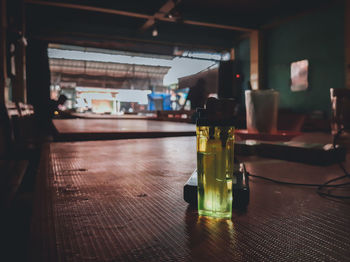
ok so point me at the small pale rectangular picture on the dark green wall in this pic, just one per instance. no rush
(299, 75)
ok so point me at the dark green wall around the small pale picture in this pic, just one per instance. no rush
(318, 37)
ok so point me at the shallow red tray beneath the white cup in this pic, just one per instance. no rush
(281, 135)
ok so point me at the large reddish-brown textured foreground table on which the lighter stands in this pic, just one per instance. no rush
(122, 200)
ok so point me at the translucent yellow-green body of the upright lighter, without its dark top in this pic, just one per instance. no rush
(215, 159)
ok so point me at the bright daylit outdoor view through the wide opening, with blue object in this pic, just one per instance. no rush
(116, 83)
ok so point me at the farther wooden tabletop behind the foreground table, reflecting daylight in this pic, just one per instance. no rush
(105, 129)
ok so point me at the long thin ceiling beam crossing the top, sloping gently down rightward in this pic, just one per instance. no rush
(137, 15)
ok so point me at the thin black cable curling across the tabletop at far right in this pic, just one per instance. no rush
(319, 186)
